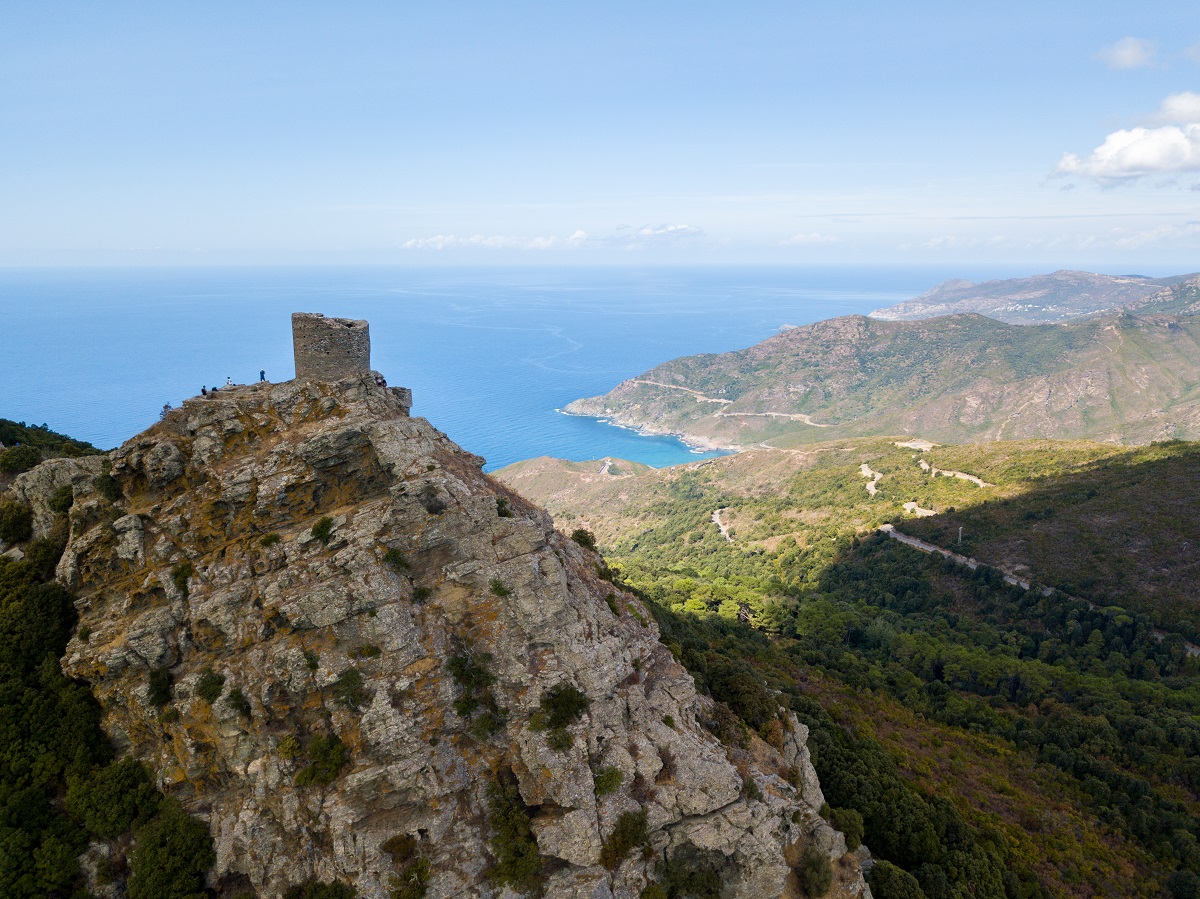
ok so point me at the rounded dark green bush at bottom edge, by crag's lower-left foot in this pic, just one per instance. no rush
(171, 856)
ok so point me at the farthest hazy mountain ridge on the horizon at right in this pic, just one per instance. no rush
(1058, 297)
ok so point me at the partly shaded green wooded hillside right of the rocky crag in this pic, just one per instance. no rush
(1063, 729)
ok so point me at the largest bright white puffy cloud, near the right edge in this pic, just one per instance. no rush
(1133, 153)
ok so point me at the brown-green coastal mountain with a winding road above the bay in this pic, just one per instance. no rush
(952, 380)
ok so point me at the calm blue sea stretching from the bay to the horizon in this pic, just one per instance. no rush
(491, 355)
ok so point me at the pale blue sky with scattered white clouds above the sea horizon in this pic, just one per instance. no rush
(1051, 134)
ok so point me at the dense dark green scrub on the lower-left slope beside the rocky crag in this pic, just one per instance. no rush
(59, 786)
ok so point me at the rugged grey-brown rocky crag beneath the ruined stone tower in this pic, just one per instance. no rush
(328, 556)
